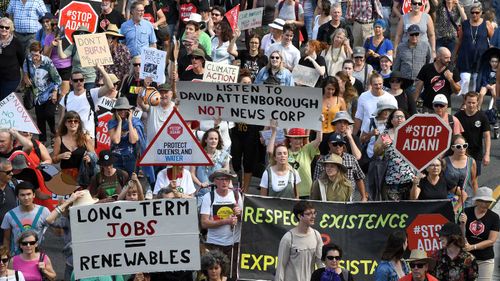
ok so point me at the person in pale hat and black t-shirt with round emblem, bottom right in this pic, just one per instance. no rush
(481, 231)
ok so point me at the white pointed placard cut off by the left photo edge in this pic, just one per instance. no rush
(14, 115)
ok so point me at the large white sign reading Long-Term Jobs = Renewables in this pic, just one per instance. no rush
(127, 237)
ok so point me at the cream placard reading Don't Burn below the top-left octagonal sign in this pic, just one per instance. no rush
(93, 49)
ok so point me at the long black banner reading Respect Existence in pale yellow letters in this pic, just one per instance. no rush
(361, 229)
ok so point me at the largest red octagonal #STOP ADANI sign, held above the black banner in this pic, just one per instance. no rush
(422, 138)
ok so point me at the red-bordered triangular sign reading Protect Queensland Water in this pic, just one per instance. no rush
(175, 145)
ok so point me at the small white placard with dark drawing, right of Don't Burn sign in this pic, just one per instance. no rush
(153, 64)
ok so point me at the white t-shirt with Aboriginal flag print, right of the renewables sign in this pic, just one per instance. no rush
(223, 235)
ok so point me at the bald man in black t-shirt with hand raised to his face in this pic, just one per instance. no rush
(436, 78)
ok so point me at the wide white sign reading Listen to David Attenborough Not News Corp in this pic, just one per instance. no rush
(251, 104)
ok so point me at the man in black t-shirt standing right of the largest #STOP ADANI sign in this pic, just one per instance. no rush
(476, 130)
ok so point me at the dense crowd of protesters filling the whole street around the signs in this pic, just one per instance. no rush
(378, 63)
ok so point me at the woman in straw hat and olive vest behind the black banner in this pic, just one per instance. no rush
(333, 184)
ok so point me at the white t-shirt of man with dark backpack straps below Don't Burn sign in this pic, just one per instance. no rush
(81, 105)
